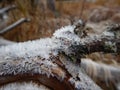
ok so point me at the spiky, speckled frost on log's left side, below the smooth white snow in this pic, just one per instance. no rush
(27, 66)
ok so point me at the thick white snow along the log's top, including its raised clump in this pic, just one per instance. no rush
(42, 47)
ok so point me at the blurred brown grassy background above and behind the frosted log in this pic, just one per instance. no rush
(48, 15)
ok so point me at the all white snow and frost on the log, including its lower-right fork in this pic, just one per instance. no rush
(34, 57)
